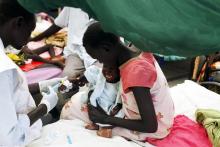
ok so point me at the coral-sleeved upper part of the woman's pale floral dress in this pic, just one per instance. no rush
(145, 72)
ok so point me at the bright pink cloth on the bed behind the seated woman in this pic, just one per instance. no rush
(184, 133)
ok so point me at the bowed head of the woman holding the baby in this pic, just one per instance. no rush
(101, 45)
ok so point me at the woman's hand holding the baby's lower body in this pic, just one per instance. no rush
(95, 115)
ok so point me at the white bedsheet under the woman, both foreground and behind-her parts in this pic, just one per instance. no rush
(187, 98)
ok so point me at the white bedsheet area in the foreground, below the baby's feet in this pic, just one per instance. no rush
(73, 134)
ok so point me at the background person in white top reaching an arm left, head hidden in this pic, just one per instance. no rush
(76, 57)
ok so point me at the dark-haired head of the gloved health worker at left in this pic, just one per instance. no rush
(16, 24)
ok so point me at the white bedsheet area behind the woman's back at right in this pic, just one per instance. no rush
(190, 96)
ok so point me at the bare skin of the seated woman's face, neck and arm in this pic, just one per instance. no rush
(114, 55)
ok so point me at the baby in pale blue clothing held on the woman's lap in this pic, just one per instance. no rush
(103, 93)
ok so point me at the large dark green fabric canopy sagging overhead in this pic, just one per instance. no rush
(168, 27)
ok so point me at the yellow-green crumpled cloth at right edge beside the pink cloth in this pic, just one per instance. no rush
(210, 119)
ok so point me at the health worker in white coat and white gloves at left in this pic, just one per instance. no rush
(20, 117)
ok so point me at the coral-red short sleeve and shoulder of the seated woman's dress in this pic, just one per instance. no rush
(139, 73)
